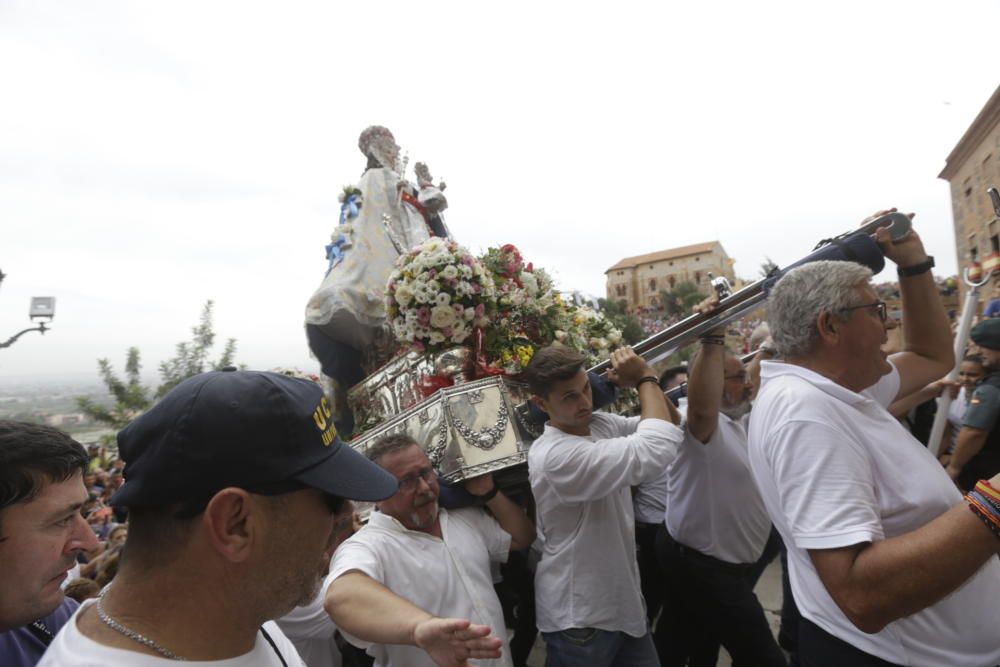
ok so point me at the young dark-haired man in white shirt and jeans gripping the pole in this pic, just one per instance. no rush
(588, 601)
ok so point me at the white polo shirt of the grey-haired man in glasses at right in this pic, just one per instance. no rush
(836, 469)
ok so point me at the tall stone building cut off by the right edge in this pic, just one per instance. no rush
(971, 168)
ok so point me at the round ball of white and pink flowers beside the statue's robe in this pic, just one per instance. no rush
(437, 295)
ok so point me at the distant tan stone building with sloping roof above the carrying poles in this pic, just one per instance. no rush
(639, 280)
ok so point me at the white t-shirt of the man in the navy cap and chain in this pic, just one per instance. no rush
(72, 649)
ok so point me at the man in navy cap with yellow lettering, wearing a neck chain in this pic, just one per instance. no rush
(232, 481)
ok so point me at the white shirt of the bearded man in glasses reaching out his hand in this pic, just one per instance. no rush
(449, 578)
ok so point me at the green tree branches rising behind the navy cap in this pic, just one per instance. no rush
(132, 398)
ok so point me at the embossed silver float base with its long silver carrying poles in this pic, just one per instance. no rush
(486, 425)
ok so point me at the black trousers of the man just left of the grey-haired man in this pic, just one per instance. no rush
(707, 600)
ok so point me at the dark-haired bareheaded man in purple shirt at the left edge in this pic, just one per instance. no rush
(41, 532)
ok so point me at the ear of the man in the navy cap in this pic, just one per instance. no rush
(232, 520)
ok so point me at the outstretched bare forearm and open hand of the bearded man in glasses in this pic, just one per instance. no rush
(364, 608)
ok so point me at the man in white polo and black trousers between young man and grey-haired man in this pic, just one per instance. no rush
(715, 526)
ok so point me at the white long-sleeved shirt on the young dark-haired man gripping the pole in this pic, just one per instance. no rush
(588, 577)
